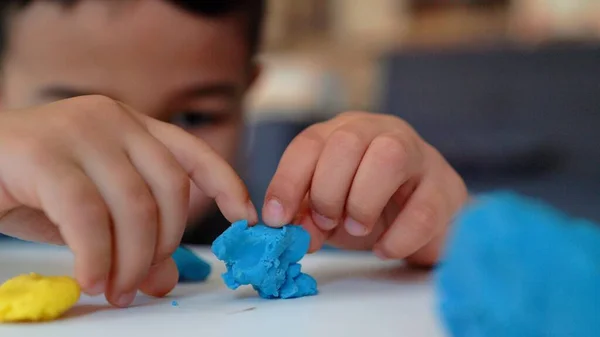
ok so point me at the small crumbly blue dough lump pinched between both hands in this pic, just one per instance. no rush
(266, 258)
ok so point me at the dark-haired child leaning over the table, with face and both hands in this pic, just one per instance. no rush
(112, 108)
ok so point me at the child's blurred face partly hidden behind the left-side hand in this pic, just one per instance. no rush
(156, 58)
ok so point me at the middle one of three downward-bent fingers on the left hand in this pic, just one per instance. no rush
(134, 216)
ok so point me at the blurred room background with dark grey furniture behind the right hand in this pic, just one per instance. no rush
(508, 91)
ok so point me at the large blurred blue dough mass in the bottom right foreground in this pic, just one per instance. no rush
(514, 266)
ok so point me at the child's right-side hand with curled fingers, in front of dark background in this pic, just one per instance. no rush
(366, 181)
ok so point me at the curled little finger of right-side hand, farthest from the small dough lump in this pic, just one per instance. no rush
(424, 216)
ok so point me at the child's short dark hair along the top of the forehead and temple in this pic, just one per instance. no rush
(252, 10)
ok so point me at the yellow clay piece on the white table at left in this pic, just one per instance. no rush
(33, 297)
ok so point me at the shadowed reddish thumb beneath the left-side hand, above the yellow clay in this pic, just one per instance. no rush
(30, 225)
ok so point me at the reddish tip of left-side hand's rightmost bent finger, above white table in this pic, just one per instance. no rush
(161, 279)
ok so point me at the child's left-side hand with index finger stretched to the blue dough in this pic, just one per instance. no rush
(113, 185)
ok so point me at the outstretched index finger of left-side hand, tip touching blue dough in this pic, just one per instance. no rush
(211, 173)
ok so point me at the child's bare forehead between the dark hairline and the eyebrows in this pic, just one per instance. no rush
(149, 32)
